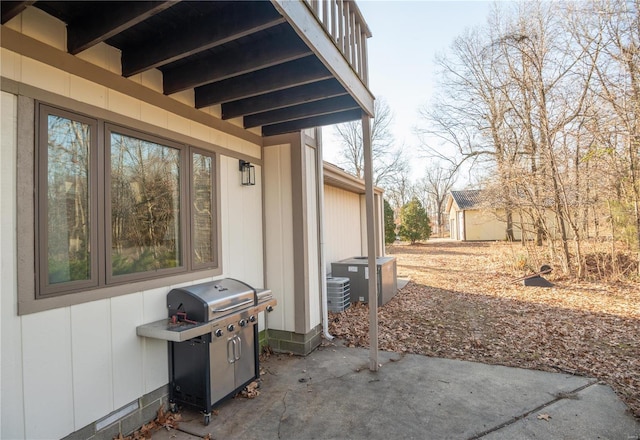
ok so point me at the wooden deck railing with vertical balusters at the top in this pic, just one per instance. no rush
(344, 24)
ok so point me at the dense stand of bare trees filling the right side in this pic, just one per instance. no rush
(545, 100)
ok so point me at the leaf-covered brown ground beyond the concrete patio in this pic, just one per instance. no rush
(462, 303)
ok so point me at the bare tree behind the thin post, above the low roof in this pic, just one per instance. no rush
(388, 161)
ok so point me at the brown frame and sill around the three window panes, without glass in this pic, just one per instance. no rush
(103, 284)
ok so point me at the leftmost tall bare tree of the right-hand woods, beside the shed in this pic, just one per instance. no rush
(471, 115)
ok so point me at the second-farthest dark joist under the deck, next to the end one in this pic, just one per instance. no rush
(302, 111)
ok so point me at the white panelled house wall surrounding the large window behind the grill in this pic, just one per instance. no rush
(65, 368)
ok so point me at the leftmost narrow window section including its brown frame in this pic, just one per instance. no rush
(66, 203)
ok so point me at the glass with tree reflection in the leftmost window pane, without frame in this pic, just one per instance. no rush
(68, 243)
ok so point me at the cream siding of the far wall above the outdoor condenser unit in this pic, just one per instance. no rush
(343, 223)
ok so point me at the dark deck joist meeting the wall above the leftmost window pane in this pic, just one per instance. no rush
(110, 21)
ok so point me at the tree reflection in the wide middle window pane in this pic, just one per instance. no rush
(145, 205)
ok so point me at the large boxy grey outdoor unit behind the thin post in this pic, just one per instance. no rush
(357, 270)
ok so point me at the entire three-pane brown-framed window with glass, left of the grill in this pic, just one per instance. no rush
(113, 205)
